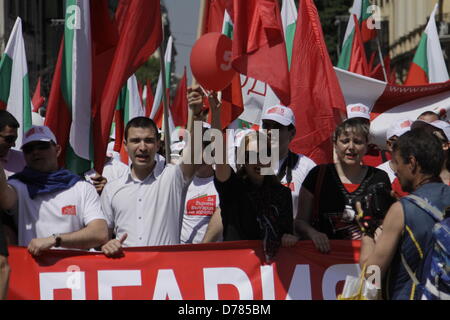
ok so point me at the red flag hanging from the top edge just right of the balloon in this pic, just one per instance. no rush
(259, 50)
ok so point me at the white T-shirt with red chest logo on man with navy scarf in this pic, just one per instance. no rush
(57, 212)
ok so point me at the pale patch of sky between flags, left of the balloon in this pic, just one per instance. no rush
(183, 16)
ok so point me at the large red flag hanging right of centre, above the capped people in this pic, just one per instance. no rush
(317, 99)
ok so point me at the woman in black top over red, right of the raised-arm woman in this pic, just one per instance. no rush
(330, 191)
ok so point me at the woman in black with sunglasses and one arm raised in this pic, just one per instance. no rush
(254, 205)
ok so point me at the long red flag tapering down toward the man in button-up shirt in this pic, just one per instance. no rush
(141, 34)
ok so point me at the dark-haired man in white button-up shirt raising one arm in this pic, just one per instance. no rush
(144, 207)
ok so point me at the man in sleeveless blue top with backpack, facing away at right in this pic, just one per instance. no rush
(402, 246)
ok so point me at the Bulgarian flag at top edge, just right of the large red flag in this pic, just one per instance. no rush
(352, 57)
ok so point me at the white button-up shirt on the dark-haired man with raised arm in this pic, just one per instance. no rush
(149, 211)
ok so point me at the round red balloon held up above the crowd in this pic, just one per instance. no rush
(211, 61)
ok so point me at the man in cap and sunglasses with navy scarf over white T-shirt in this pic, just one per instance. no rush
(55, 208)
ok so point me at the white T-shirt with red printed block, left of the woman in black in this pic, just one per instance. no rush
(202, 200)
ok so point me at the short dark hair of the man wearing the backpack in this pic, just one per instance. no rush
(425, 147)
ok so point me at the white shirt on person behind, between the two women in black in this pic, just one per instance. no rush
(299, 173)
